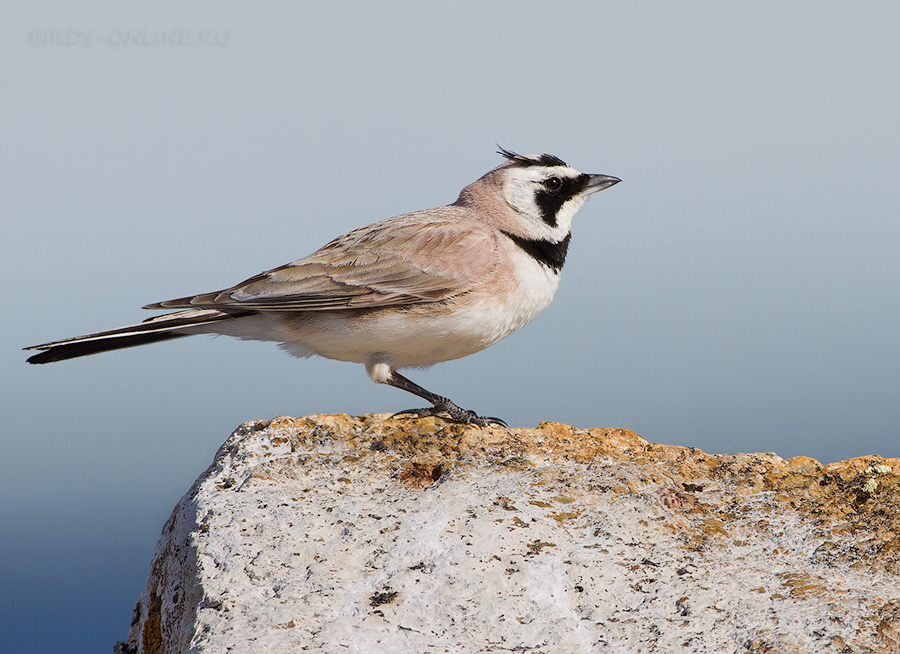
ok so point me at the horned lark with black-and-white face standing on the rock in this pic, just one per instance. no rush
(409, 291)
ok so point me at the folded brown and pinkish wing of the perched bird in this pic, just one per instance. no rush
(412, 259)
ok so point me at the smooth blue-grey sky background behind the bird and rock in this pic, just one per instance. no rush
(737, 292)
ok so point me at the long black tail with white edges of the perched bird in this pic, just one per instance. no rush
(152, 330)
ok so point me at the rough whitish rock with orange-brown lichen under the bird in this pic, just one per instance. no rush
(339, 534)
